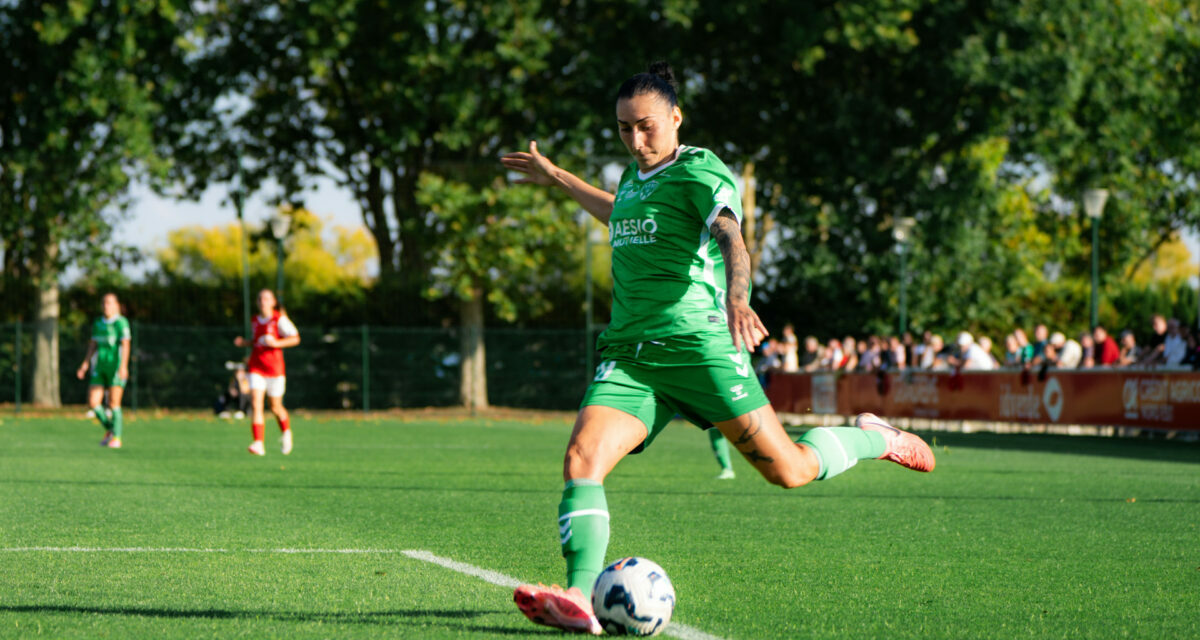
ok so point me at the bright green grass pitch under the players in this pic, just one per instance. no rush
(1011, 537)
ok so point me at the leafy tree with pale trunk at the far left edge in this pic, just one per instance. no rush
(83, 87)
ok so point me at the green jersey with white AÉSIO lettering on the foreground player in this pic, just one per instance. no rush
(668, 272)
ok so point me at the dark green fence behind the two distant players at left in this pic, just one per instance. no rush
(346, 368)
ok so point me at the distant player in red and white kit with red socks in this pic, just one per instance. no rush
(273, 332)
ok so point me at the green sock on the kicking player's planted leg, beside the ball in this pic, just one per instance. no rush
(584, 531)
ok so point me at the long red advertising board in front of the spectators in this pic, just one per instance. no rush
(1126, 398)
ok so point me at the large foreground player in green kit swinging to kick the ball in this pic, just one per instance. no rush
(681, 291)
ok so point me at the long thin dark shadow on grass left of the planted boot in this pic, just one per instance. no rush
(399, 617)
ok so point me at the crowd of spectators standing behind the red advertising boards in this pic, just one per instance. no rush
(1171, 345)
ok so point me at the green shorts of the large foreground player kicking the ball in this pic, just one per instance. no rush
(700, 378)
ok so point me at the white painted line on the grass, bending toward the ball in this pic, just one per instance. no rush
(675, 630)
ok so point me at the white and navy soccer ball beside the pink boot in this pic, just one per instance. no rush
(633, 596)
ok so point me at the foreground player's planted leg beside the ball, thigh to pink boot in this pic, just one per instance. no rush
(602, 438)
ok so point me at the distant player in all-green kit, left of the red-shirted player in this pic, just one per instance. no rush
(109, 358)
